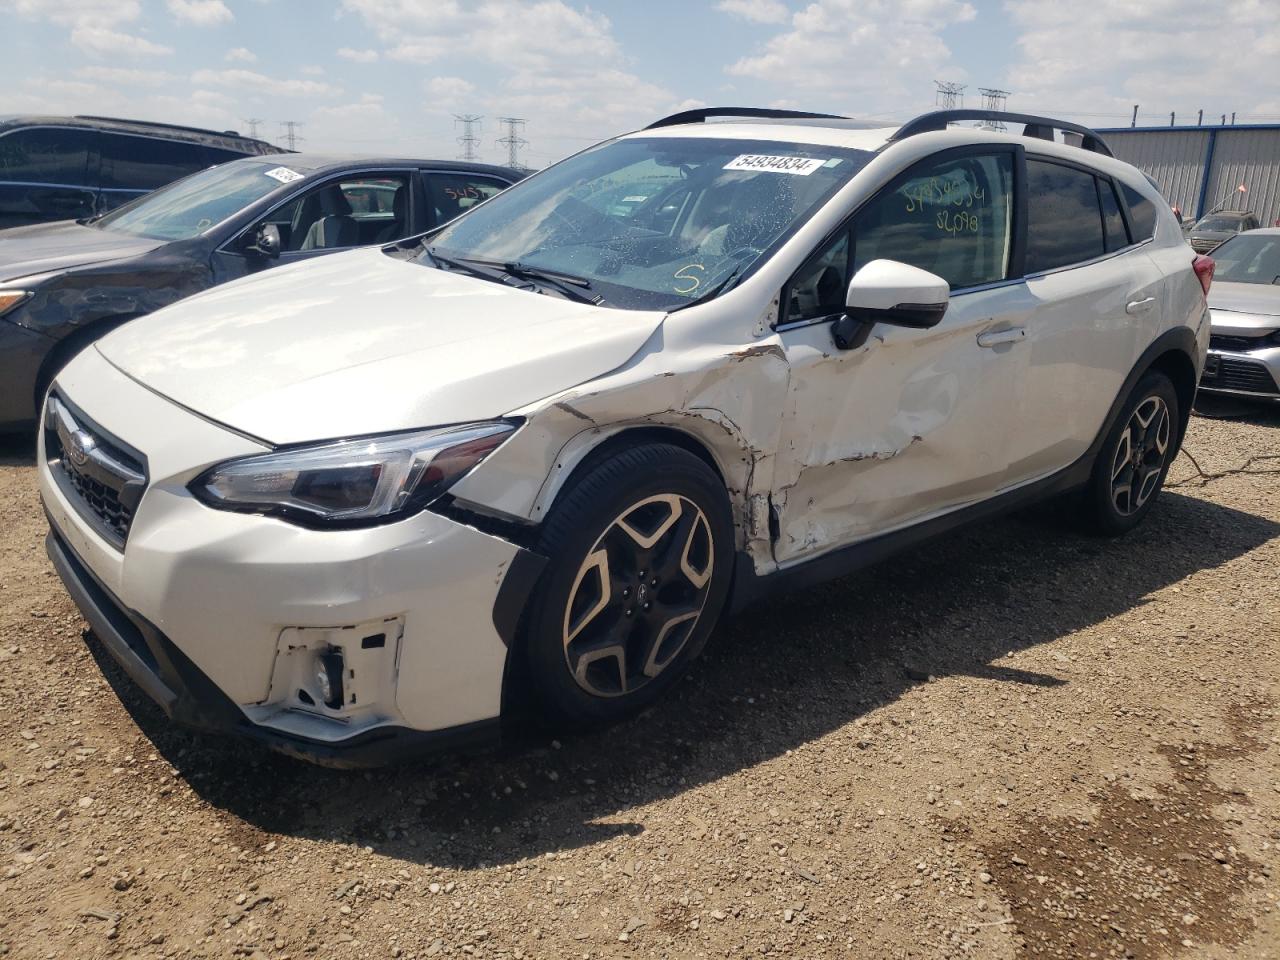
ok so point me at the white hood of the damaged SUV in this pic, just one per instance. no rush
(363, 344)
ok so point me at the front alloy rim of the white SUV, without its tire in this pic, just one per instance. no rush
(639, 595)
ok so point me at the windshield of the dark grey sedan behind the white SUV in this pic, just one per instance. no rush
(193, 205)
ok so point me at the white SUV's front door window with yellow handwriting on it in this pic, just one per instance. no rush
(952, 217)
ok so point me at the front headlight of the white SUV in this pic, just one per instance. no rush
(353, 482)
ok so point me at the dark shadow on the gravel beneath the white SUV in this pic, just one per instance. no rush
(784, 675)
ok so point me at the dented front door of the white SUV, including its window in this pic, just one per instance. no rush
(915, 423)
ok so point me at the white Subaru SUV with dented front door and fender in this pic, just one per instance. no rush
(350, 506)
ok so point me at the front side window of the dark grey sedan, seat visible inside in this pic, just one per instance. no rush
(346, 213)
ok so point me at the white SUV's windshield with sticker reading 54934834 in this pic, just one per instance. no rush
(652, 223)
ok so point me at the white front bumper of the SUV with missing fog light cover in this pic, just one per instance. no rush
(217, 615)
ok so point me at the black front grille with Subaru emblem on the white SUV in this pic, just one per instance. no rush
(100, 476)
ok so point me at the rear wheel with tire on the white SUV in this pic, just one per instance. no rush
(1136, 456)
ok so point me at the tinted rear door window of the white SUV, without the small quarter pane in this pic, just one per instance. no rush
(1064, 225)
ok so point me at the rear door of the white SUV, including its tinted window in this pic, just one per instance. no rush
(1096, 305)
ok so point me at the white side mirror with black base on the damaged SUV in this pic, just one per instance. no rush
(889, 292)
